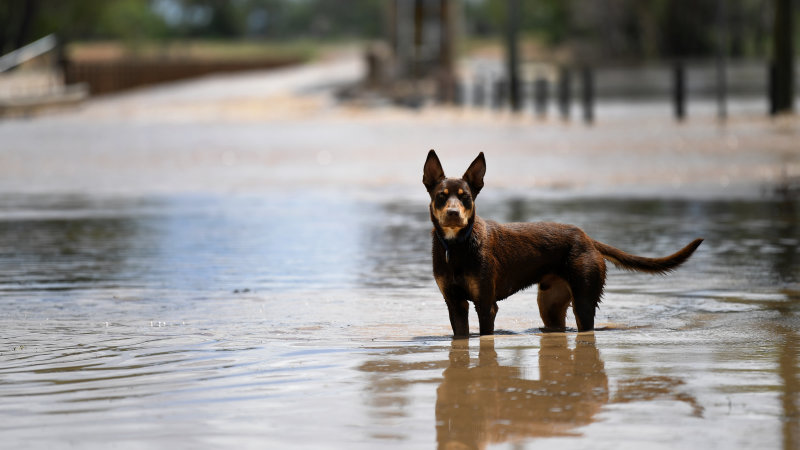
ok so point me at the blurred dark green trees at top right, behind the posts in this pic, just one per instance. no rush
(633, 29)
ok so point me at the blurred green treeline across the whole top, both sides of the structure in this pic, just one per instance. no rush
(626, 29)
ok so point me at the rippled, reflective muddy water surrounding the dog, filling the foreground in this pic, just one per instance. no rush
(311, 320)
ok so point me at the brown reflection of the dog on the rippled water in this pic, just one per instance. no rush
(483, 403)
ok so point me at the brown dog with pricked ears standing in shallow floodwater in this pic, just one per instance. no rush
(483, 261)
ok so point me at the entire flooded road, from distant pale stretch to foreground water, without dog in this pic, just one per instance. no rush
(240, 261)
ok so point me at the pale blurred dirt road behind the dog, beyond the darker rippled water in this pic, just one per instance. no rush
(283, 128)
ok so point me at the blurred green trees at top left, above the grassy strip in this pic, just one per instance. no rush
(135, 21)
